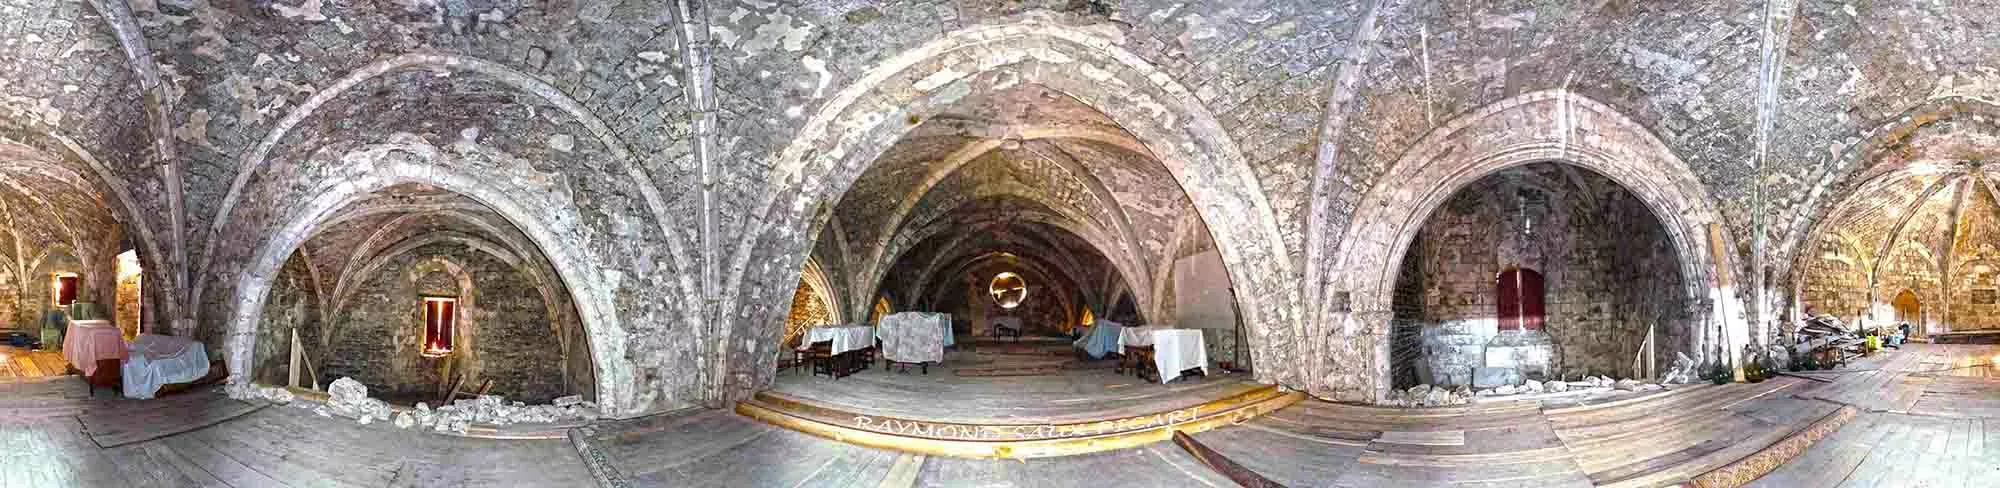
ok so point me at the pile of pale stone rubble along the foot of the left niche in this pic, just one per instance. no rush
(349, 399)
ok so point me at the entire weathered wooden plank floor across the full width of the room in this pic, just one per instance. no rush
(1945, 435)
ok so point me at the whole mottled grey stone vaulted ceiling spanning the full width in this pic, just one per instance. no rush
(683, 161)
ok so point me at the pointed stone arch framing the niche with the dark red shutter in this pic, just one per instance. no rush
(1537, 127)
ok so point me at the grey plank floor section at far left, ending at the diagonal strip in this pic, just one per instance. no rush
(43, 443)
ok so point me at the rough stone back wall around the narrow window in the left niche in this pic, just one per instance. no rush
(503, 333)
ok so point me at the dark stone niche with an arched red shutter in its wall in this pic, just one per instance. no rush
(1539, 271)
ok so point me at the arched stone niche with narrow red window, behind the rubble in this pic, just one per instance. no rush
(357, 289)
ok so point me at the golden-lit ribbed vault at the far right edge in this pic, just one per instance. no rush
(1921, 219)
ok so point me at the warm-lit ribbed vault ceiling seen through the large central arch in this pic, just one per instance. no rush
(1027, 163)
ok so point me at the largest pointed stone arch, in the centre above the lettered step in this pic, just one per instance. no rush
(1087, 63)
